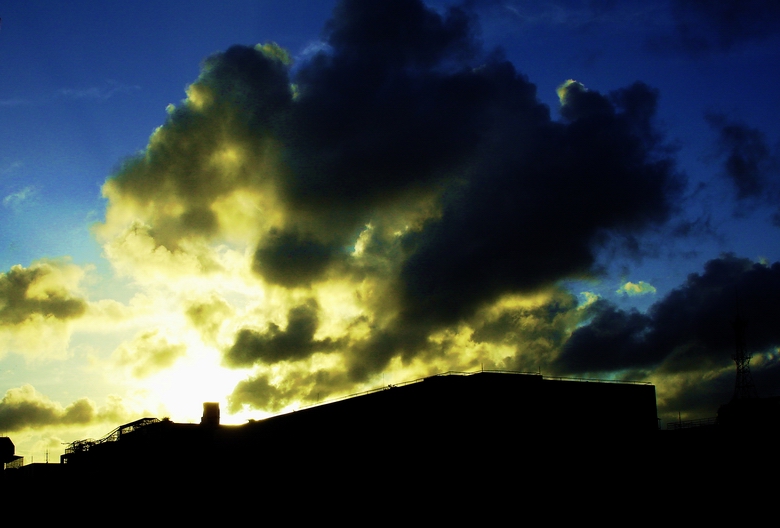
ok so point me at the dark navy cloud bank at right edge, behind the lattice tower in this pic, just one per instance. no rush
(689, 330)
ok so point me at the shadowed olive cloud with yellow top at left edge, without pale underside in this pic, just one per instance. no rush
(38, 291)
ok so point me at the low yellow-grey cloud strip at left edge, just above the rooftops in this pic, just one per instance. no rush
(24, 408)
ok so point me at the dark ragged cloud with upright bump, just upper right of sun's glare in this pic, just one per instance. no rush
(295, 342)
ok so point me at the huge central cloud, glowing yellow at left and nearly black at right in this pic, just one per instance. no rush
(387, 195)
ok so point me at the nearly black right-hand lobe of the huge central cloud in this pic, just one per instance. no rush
(543, 197)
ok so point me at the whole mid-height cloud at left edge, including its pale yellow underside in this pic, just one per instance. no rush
(38, 306)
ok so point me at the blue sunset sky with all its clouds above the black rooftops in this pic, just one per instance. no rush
(269, 204)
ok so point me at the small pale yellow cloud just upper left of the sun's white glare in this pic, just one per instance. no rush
(148, 353)
